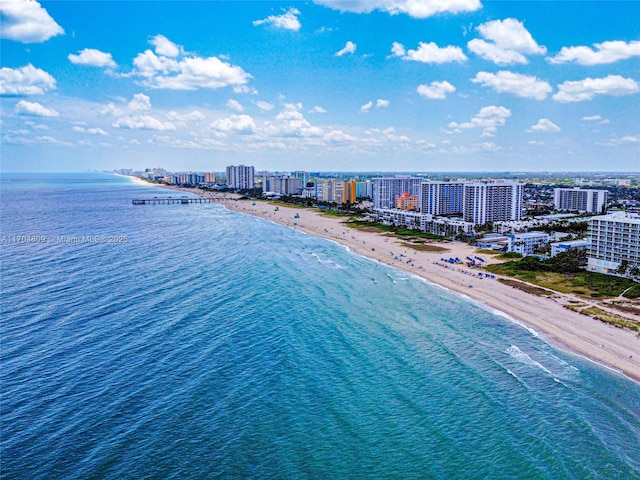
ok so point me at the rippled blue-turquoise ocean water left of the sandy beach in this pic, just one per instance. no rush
(190, 341)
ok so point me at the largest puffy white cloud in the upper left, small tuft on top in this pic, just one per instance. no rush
(186, 72)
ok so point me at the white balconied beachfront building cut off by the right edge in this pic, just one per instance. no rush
(613, 238)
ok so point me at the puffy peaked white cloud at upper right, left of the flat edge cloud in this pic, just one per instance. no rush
(505, 42)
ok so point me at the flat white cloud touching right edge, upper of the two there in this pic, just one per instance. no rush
(606, 52)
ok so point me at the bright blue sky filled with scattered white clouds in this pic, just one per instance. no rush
(321, 85)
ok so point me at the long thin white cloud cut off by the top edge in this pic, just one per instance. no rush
(413, 8)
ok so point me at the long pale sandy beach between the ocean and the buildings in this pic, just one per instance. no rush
(610, 347)
